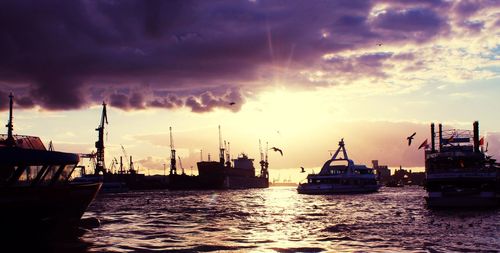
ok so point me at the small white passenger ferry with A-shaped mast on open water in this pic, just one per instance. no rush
(340, 175)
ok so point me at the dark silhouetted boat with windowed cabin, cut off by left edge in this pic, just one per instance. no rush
(35, 184)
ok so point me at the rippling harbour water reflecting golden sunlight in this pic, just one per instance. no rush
(280, 220)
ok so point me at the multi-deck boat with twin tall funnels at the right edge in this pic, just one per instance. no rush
(458, 172)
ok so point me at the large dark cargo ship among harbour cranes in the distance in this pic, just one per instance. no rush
(226, 173)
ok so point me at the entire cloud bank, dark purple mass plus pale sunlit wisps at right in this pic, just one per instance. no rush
(205, 55)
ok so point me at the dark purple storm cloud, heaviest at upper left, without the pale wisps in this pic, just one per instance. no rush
(68, 54)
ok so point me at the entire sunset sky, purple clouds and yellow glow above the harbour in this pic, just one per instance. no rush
(299, 75)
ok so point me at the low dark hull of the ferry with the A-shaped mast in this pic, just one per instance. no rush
(336, 189)
